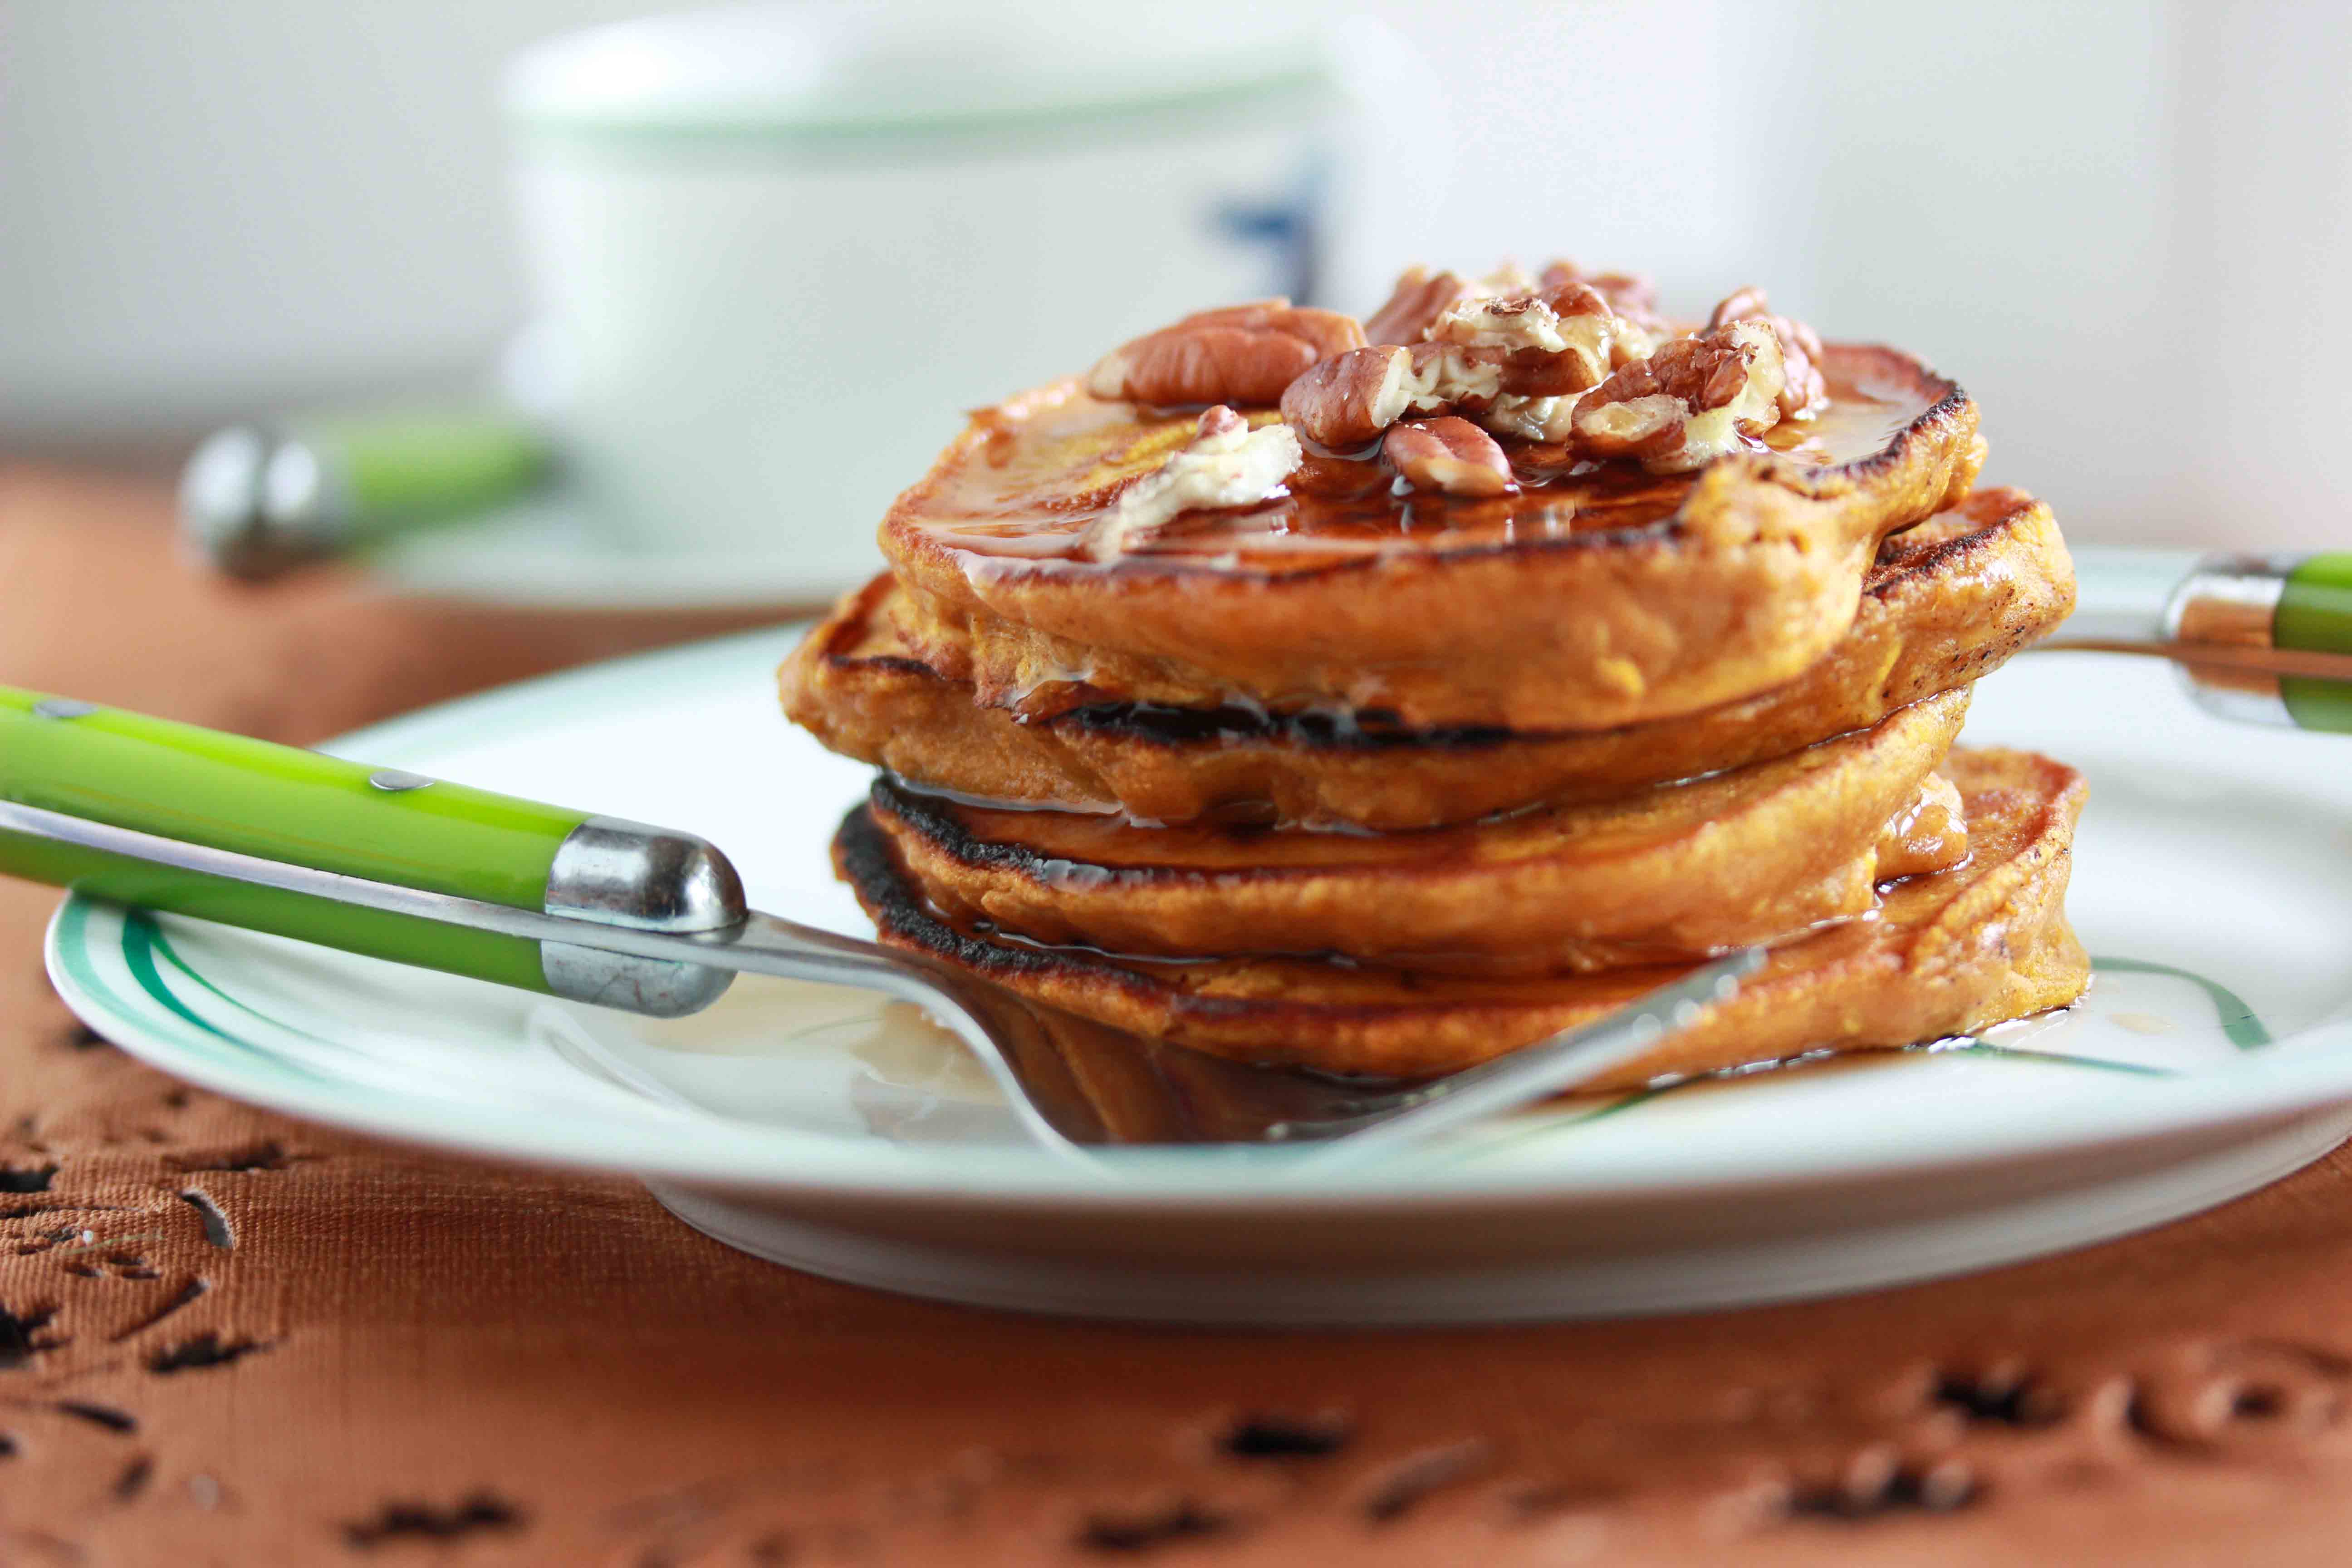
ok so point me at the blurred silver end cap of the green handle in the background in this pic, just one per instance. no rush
(255, 502)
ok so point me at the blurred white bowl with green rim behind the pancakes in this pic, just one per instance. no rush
(777, 250)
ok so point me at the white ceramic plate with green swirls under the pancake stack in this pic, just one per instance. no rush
(820, 1130)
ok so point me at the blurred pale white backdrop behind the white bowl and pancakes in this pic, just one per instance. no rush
(2125, 227)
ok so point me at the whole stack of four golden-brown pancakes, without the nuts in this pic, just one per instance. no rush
(1389, 775)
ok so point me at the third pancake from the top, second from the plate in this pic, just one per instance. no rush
(1758, 855)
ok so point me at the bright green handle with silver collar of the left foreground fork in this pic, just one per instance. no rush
(298, 808)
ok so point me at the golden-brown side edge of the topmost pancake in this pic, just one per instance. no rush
(1751, 579)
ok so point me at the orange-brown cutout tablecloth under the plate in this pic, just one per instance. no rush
(236, 1339)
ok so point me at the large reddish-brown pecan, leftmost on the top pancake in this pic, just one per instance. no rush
(1241, 354)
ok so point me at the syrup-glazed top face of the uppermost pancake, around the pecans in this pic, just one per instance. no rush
(1053, 464)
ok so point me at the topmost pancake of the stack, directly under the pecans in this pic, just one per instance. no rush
(1593, 596)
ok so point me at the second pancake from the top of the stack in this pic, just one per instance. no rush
(1944, 605)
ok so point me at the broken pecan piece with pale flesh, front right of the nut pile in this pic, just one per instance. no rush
(1690, 403)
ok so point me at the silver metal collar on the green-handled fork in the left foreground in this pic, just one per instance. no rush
(643, 878)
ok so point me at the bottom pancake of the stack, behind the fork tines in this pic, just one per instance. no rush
(1944, 956)
